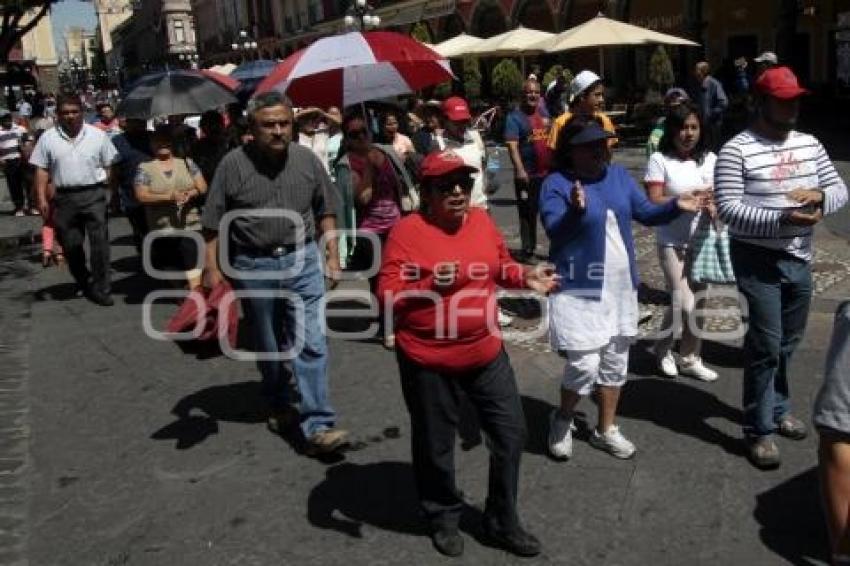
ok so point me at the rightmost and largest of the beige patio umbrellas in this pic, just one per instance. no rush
(604, 32)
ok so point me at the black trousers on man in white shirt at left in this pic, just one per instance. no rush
(77, 214)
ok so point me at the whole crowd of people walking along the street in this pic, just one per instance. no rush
(358, 192)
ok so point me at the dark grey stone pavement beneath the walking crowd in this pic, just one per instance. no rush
(117, 449)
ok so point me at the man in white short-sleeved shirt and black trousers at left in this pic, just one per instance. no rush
(78, 159)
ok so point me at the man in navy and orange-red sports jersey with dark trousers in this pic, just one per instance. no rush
(527, 137)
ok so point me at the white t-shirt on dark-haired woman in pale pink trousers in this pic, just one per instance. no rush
(679, 177)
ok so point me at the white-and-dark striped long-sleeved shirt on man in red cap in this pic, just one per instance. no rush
(752, 179)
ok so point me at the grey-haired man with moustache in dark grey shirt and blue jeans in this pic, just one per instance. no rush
(271, 173)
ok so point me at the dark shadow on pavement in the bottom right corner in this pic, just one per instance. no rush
(792, 520)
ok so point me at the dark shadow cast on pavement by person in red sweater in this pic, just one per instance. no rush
(381, 495)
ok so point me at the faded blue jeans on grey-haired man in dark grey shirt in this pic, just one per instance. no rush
(277, 324)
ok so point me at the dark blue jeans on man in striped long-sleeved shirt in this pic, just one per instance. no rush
(778, 288)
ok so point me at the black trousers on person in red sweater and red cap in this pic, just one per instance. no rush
(433, 400)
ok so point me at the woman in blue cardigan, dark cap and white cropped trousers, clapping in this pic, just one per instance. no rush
(587, 207)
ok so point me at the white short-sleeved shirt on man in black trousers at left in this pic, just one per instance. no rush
(75, 161)
